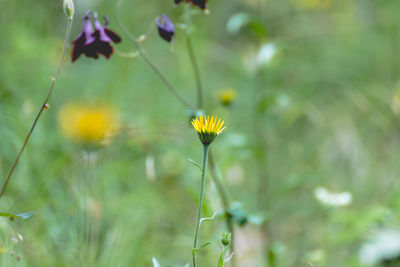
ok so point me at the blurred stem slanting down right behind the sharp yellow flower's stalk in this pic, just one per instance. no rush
(223, 194)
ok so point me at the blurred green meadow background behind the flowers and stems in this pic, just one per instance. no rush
(309, 91)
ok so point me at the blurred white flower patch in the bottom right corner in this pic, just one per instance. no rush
(383, 245)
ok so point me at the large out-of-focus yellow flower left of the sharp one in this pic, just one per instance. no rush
(88, 124)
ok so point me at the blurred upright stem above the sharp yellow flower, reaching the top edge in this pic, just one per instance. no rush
(193, 59)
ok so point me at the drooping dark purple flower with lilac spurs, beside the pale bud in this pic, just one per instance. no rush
(94, 43)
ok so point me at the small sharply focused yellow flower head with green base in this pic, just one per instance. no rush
(208, 129)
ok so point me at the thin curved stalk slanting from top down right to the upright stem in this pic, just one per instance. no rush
(153, 65)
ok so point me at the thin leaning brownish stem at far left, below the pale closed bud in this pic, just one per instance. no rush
(53, 83)
